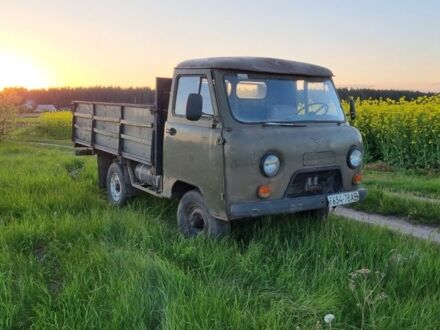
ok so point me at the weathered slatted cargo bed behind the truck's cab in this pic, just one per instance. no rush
(129, 131)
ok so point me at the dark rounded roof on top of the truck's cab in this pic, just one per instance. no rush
(257, 64)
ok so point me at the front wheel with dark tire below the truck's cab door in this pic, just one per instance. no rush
(193, 218)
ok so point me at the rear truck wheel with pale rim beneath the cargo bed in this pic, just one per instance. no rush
(117, 185)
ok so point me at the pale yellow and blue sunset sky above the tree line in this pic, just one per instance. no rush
(366, 43)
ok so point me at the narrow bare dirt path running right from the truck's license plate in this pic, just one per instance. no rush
(394, 223)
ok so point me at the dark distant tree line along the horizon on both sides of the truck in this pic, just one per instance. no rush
(63, 96)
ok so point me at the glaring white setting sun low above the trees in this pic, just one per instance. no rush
(16, 71)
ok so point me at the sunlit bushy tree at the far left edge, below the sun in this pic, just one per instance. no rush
(9, 107)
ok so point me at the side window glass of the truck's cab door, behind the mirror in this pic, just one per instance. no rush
(192, 84)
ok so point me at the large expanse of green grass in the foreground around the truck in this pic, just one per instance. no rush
(69, 260)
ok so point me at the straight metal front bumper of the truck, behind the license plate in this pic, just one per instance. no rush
(280, 206)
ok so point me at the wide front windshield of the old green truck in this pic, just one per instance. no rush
(257, 98)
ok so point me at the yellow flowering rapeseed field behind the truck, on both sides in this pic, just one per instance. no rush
(401, 133)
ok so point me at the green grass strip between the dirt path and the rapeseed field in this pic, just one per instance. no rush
(403, 193)
